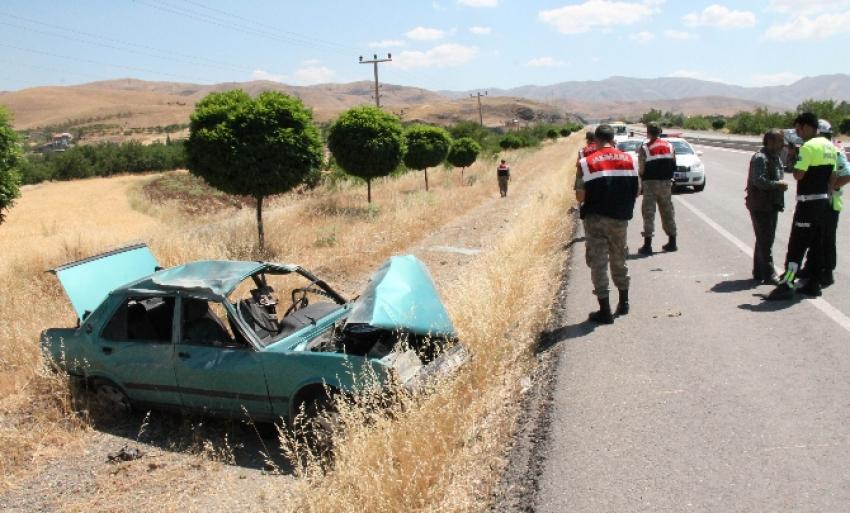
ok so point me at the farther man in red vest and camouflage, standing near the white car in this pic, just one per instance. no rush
(657, 163)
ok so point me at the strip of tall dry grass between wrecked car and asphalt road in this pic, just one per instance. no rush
(445, 452)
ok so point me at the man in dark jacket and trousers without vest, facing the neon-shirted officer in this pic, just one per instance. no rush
(765, 199)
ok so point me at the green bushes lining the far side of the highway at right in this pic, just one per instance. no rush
(756, 122)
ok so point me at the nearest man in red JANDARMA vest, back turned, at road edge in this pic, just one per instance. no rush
(607, 186)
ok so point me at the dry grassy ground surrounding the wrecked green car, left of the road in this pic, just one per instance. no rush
(438, 453)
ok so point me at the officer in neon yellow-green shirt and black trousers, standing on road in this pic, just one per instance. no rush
(813, 171)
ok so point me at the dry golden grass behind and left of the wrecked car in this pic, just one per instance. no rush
(332, 232)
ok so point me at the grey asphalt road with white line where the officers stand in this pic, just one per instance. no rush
(704, 398)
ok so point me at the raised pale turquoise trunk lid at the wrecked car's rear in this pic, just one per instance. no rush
(87, 282)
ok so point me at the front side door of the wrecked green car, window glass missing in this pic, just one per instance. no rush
(217, 371)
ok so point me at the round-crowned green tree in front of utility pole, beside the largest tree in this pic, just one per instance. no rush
(367, 142)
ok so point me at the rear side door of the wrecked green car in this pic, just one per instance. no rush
(135, 349)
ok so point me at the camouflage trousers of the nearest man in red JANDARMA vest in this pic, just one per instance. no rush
(606, 244)
